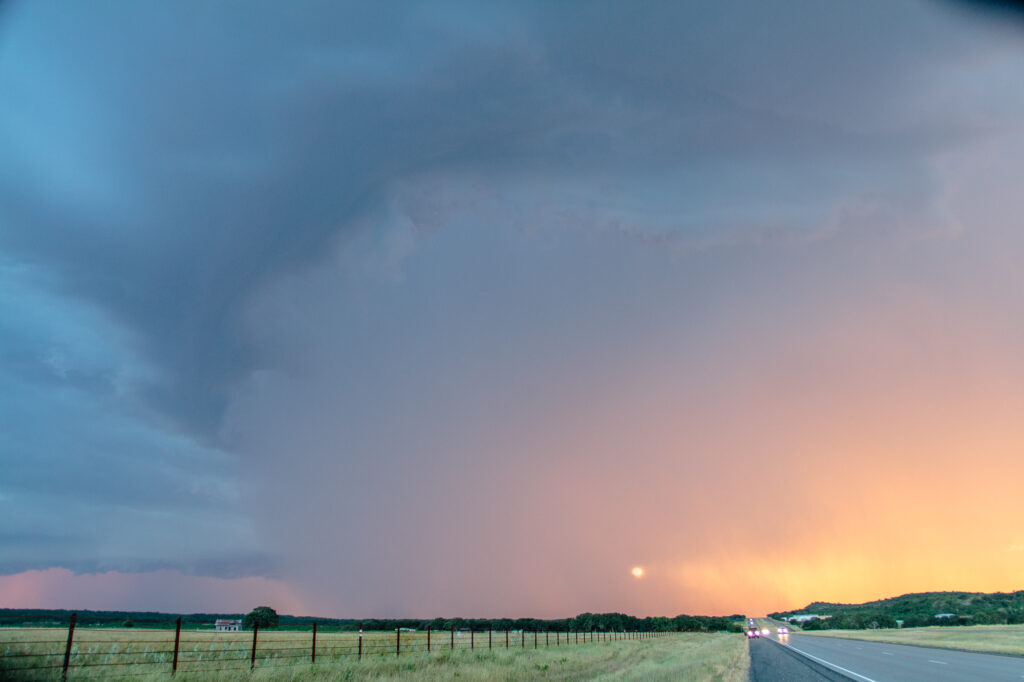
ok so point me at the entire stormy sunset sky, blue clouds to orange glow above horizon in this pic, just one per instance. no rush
(470, 309)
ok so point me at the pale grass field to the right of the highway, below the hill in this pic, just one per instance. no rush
(998, 638)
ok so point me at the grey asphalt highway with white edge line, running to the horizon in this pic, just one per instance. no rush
(877, 662)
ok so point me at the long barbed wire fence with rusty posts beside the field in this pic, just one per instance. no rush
(99, 653)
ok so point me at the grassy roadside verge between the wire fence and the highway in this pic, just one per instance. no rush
(712, 657)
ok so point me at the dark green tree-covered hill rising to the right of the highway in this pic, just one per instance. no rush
(922, 609)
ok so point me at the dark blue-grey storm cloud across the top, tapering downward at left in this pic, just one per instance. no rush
(162, 170)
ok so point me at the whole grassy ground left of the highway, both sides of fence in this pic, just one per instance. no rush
(207, 657)
